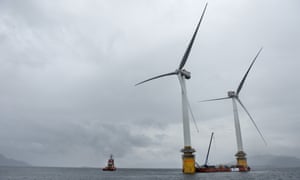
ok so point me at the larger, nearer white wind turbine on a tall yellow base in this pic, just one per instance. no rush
(182, 74)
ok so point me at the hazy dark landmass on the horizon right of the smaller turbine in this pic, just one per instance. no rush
(273, 161)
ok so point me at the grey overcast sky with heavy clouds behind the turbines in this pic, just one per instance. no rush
(68, 69)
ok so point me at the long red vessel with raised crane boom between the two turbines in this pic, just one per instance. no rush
(220, 168)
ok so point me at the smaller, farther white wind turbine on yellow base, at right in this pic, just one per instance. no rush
(241, 155)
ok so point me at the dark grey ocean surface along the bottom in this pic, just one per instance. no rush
(51, 173)
